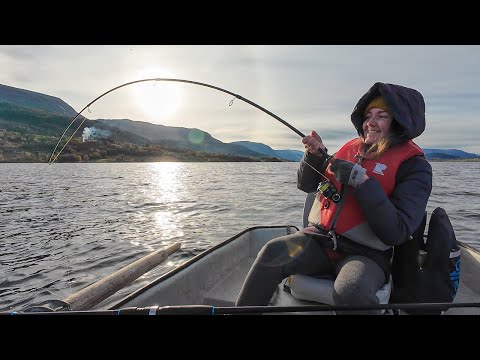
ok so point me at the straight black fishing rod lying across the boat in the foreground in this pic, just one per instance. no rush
(245, 310)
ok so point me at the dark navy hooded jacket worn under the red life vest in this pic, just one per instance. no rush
(392, 218)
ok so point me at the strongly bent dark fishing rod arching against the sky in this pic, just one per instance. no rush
(53, 157)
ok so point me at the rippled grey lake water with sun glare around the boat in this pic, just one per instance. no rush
(65, 226)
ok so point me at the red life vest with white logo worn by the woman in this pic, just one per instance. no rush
(350, 221)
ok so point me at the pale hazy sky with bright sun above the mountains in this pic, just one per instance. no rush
(310, 87)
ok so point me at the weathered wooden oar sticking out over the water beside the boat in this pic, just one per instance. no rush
(97, 292)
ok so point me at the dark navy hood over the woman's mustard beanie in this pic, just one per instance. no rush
(407, 106)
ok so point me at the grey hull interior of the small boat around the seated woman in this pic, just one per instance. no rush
(215, 276)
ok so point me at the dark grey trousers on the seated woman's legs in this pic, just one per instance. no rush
(357, 278)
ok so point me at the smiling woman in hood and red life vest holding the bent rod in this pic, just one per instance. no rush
(372, 195)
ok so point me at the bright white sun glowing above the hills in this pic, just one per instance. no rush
(159, 100)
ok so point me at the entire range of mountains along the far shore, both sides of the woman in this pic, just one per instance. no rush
(31, 124)
